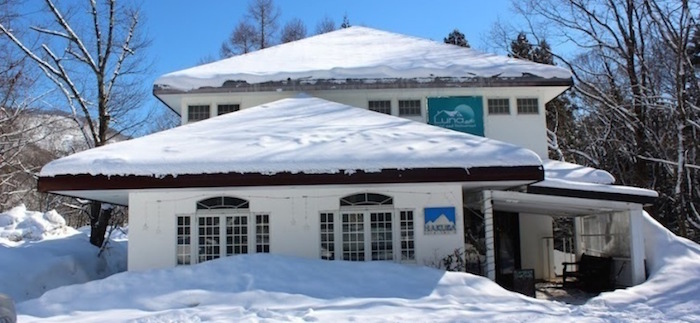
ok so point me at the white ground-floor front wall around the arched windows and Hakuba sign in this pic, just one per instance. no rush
(294, 217)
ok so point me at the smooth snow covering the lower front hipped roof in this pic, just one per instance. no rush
(298, 135)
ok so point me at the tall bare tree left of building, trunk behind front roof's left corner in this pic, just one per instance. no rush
(92, 60)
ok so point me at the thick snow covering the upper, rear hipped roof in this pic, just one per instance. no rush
(357, 53)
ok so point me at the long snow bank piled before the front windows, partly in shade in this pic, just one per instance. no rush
(271, 287)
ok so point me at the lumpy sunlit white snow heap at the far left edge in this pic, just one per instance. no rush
(18, 225)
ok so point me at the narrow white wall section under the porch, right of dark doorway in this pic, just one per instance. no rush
(533, 228)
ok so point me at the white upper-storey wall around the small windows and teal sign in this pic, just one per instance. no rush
(528, 130)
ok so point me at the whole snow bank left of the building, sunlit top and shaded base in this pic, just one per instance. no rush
(38, 252)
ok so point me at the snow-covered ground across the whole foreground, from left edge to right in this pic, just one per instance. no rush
(279, 288)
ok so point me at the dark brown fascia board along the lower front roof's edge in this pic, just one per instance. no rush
(390, 176)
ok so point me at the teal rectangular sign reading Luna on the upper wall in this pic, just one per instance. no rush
(464, 113)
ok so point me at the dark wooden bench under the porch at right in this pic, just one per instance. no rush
(592, 273)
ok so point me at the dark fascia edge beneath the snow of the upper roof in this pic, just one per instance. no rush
(376, 84)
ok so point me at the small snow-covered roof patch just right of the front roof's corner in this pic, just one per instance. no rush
(559, 170)
